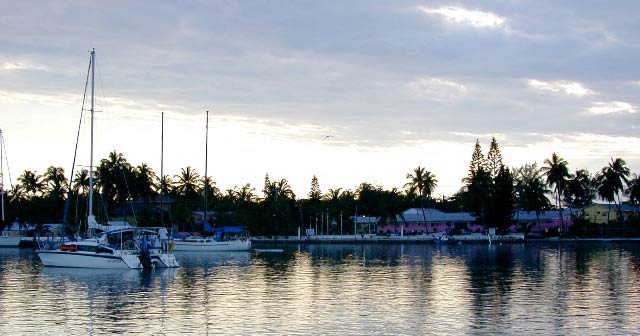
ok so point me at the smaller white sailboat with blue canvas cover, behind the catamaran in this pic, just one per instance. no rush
(224, 238)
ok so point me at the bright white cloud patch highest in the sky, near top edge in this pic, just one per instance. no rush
(474, 18)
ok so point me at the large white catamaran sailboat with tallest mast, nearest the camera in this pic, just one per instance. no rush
(122, 247)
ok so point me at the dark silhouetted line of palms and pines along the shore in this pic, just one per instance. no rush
(491, 191)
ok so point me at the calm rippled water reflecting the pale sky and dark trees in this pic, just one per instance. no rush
(534, 288)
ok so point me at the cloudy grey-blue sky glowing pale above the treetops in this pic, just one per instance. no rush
(348, 91)
